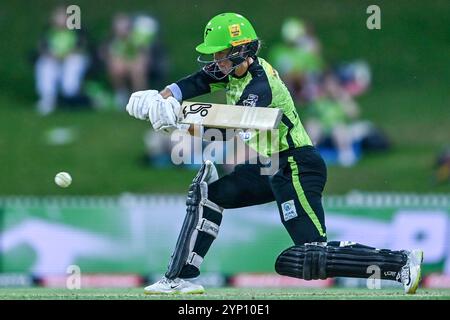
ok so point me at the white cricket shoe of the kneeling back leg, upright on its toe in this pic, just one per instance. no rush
(411, 271)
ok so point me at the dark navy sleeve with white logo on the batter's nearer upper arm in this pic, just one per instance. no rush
(258, 92)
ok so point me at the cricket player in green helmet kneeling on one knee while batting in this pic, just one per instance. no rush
(296, 186)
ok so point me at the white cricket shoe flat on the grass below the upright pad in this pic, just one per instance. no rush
(174, 286)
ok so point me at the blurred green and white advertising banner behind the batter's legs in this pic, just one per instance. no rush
(135, 234)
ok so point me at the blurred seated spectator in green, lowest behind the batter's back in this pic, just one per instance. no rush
(333, 123)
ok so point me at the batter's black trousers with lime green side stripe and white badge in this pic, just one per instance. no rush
(296, 187)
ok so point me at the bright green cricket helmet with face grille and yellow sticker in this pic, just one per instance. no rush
(228, 31)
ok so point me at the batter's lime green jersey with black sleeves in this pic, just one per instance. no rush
(260, 86)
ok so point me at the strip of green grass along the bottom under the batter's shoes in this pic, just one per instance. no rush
(225, 294)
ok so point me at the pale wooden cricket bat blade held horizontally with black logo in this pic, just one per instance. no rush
(229, 116)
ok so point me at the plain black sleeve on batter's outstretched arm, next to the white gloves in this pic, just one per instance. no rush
(196, 84)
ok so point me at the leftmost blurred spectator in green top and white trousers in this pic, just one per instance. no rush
(61, 65)
